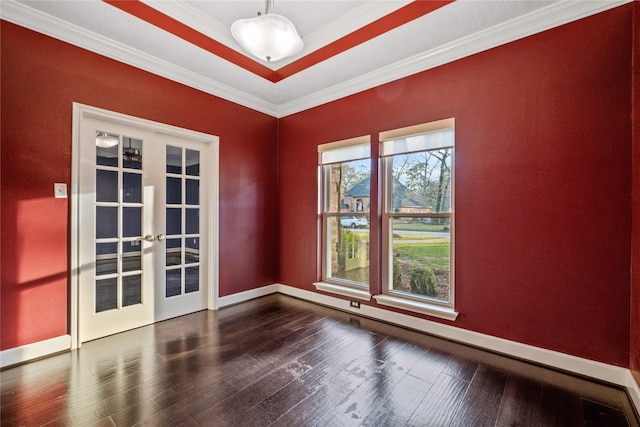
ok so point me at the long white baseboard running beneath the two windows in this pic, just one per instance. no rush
(577, 365)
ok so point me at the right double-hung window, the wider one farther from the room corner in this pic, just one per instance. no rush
(418, 213)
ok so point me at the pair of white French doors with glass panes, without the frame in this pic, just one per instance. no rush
(143, 210)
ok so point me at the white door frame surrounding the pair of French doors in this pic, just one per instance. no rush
(81, 111)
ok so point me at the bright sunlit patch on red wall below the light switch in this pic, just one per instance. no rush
(34, 271)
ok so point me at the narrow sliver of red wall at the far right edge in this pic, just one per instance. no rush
(634, 360)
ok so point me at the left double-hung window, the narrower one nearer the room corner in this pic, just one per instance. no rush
(345, 169)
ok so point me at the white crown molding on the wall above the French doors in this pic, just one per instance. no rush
(25, 16)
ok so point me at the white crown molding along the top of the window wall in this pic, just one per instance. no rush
(545, 18)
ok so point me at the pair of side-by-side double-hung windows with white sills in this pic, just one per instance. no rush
(416, 253)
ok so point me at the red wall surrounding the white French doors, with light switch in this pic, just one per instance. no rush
(41, 78)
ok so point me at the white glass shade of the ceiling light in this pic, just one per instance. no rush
(269, 37)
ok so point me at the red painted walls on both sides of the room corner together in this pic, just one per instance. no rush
(543, 180)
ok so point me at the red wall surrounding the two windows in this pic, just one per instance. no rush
(543, 177)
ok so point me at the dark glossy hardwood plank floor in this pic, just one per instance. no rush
(278, 361)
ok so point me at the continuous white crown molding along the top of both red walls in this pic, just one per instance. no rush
(556, 14)
